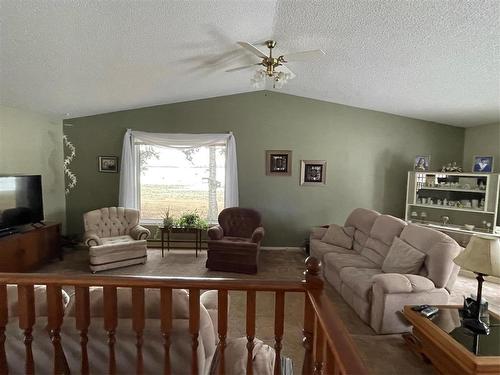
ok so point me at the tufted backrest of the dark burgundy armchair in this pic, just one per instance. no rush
(239, 222)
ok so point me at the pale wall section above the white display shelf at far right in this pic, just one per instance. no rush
(482, 140)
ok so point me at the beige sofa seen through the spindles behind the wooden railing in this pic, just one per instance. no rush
(125, 346)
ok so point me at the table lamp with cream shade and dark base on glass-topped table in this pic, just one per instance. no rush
(481, 256)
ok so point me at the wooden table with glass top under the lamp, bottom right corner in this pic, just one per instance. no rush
(451, 348)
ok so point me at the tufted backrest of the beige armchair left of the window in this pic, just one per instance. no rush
(111, 221)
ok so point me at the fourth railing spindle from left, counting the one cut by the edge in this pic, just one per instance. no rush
(82, 301)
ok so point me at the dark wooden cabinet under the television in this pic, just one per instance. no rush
(30, 249)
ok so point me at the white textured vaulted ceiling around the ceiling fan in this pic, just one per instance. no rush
(434, 60)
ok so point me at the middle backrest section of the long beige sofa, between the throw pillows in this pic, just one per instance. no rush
(381, 236)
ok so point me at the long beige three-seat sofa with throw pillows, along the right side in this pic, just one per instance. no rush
(362, 258)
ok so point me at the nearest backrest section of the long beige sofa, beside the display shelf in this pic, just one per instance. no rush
(440, 250)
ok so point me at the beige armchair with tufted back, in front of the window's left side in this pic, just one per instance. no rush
(115, 238)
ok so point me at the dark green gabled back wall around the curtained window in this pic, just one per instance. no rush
(368, 155)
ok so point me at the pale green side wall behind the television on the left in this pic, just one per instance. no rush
(31, 143)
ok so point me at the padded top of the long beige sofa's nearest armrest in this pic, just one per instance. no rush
(399, 283)
